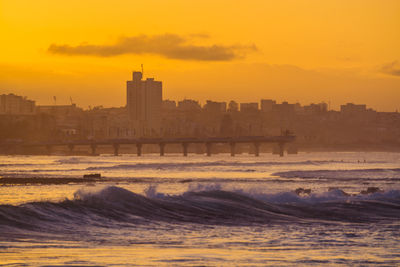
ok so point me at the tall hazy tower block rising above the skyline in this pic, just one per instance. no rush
(144, 101)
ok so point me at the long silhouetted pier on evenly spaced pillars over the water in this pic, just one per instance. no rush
(162, 142)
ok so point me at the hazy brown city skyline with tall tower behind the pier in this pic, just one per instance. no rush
(146, 114)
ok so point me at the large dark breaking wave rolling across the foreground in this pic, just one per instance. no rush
(115, 207)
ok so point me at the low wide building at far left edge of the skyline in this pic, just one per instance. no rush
(16, 105)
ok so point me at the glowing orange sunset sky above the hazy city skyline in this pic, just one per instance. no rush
(303, 51)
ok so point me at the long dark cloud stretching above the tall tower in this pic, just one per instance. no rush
(170, 46)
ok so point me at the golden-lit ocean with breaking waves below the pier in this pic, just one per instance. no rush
(309, 209)
